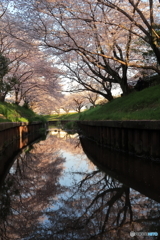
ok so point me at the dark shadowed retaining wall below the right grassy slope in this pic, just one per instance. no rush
(140, 138)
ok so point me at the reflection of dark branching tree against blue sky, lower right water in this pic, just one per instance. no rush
(102, 208)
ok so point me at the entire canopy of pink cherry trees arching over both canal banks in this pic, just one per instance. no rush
(89, 46)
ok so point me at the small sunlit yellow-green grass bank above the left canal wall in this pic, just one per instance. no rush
(13, 113)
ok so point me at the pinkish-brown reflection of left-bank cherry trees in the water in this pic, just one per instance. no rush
(30, 187)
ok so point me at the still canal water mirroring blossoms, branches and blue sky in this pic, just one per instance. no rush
(53, 191)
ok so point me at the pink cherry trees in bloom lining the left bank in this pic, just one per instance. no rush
(28, 73)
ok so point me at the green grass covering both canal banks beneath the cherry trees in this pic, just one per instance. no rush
(142, 105)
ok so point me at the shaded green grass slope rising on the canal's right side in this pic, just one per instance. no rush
(143, 105)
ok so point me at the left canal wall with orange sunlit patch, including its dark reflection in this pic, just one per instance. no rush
(13, 137)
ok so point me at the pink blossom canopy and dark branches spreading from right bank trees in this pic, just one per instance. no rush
(94, 33)
